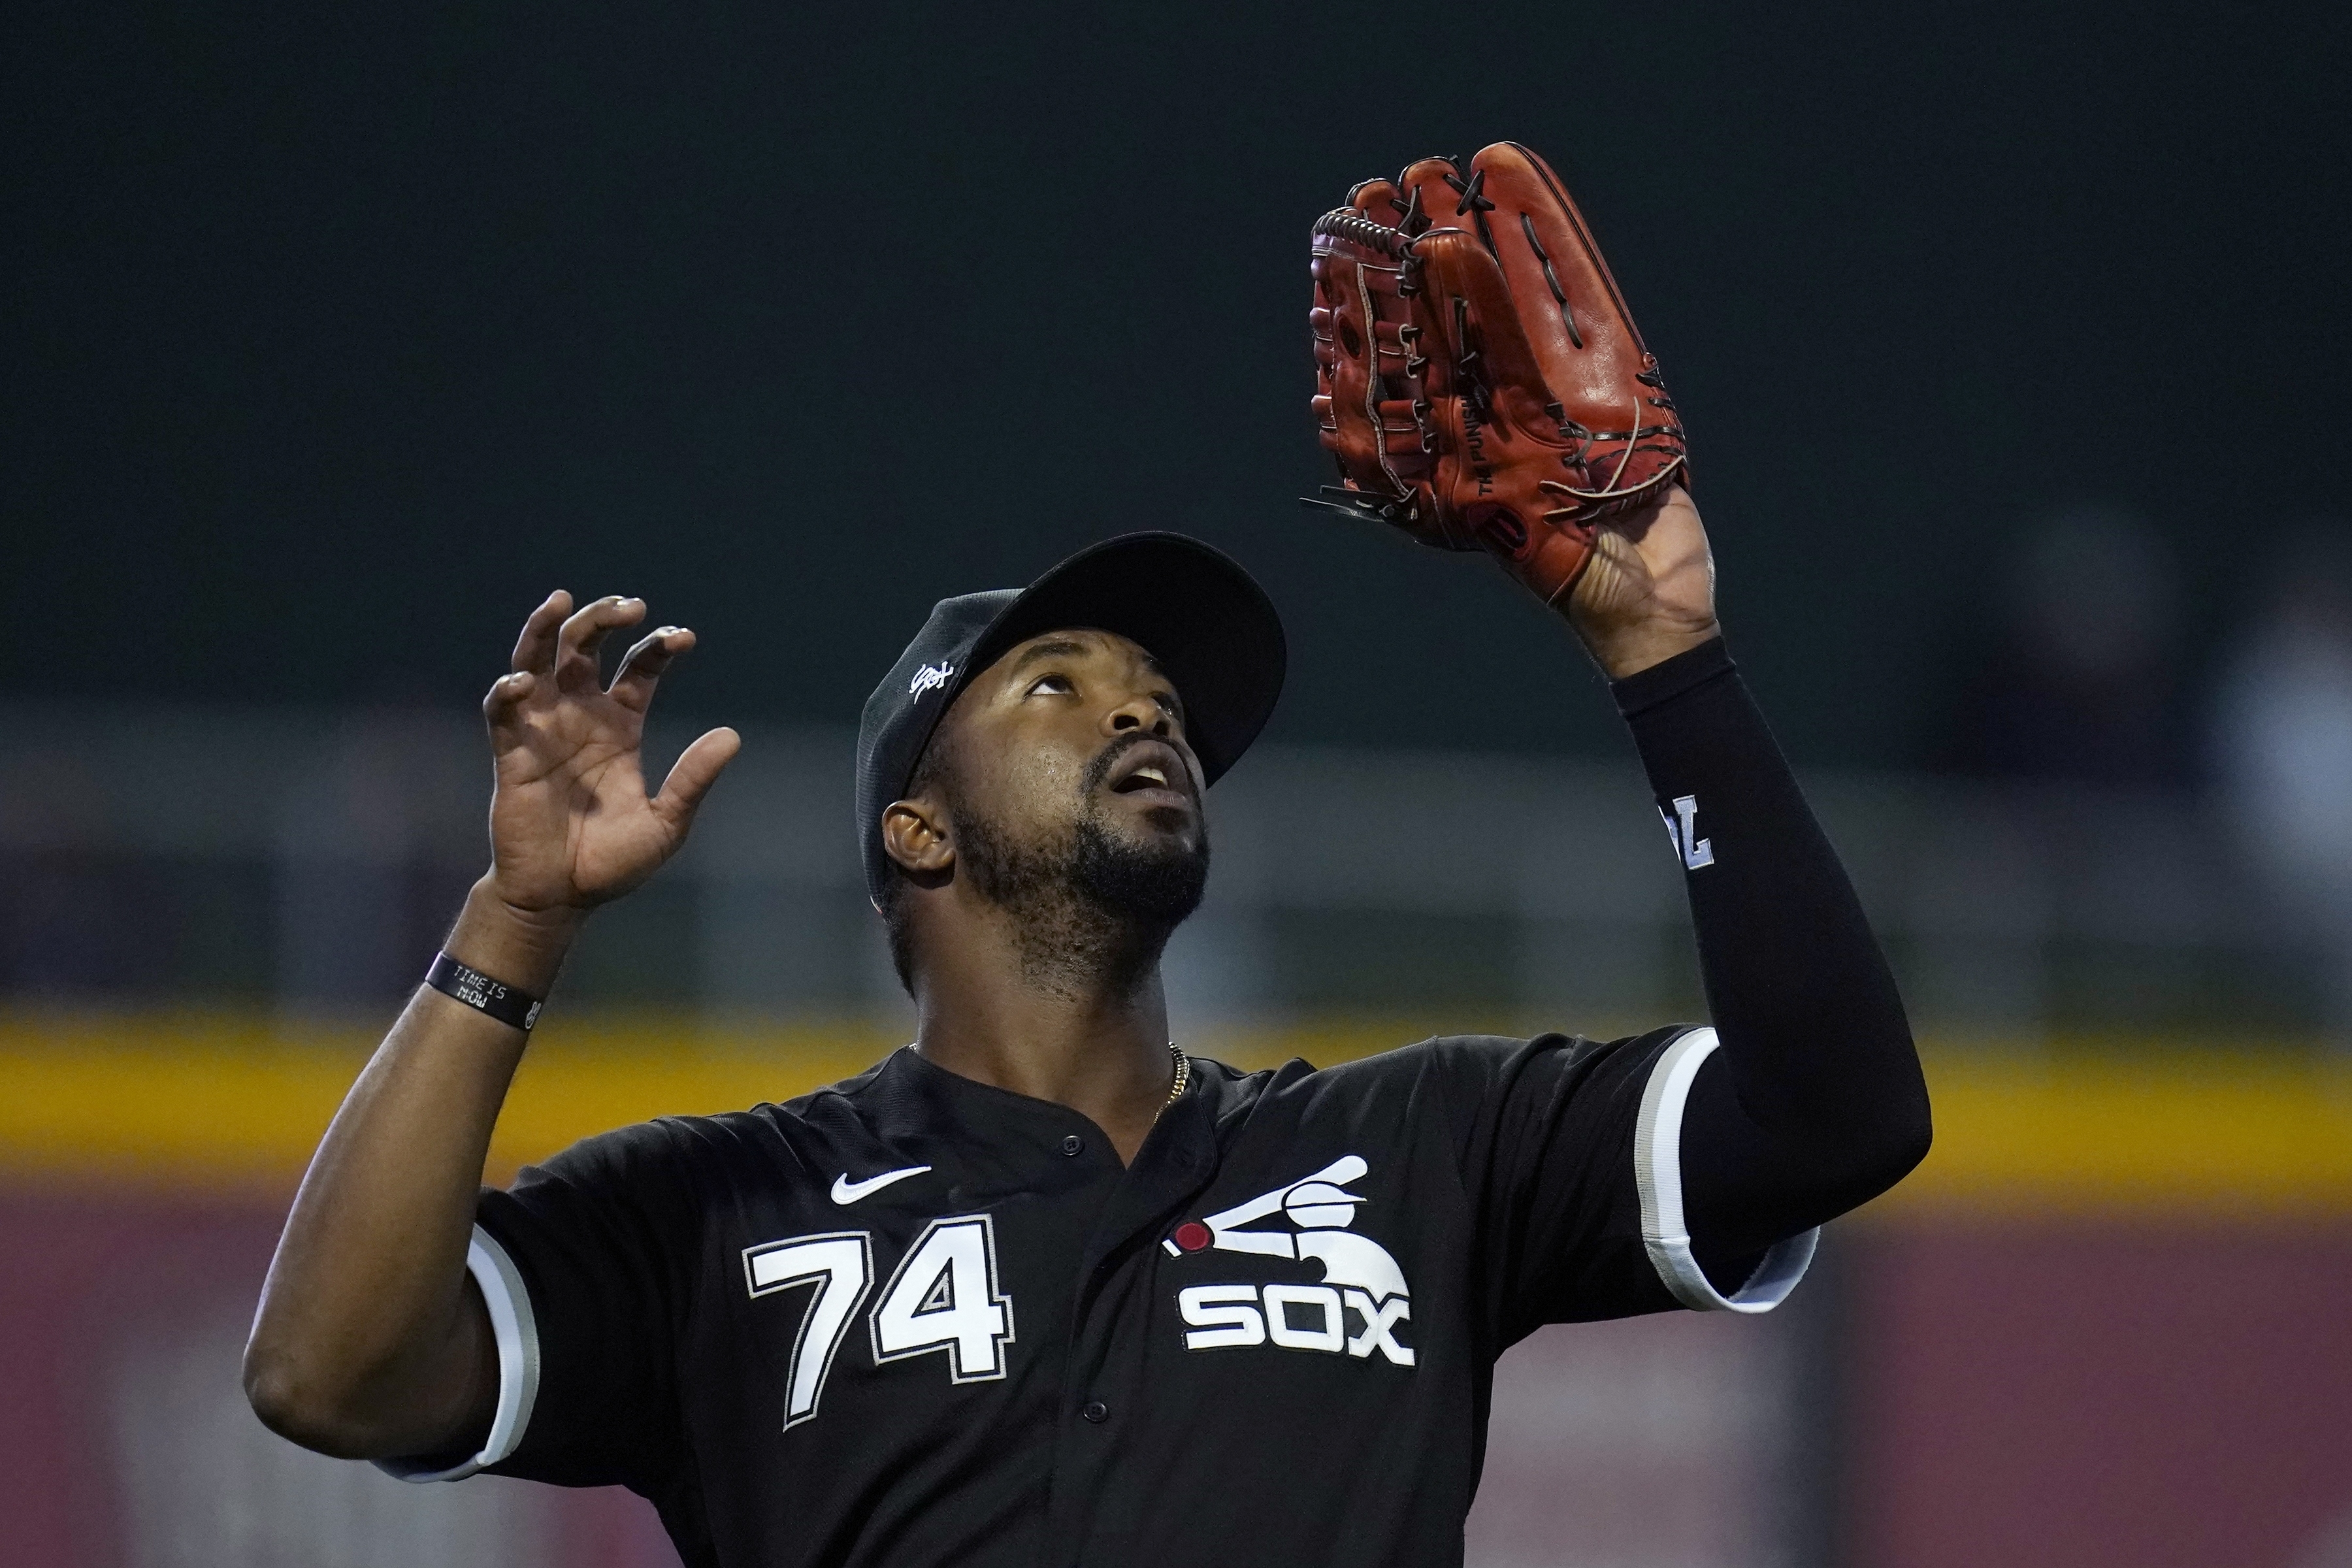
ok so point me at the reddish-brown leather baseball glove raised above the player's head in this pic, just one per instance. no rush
(1478, 375)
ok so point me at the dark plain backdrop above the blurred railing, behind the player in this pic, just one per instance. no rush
(335, 337)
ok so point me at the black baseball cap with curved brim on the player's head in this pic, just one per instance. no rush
(1184, 603)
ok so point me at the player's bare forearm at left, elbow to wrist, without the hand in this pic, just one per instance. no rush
(370, 1339)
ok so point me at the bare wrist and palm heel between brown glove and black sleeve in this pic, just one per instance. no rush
(1648, 589)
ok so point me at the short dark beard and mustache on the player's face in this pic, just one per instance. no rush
(1095, 906)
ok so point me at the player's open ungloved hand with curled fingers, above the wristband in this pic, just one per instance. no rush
(573, 824)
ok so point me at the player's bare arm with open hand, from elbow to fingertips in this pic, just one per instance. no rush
(370, 1341)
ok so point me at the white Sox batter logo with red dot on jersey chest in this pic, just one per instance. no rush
(1311, 1219)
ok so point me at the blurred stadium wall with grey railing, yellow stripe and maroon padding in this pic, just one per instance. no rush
(2104, 1325)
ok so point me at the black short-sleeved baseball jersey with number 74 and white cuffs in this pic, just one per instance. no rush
(923, 1322)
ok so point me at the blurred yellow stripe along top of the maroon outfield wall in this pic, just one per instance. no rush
(225, 1101)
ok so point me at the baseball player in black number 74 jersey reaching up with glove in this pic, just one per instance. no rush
(1043, 1287)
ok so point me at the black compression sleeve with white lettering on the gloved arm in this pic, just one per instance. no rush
(1815, 1099)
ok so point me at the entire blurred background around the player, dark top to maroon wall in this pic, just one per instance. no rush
(2010, 342)
